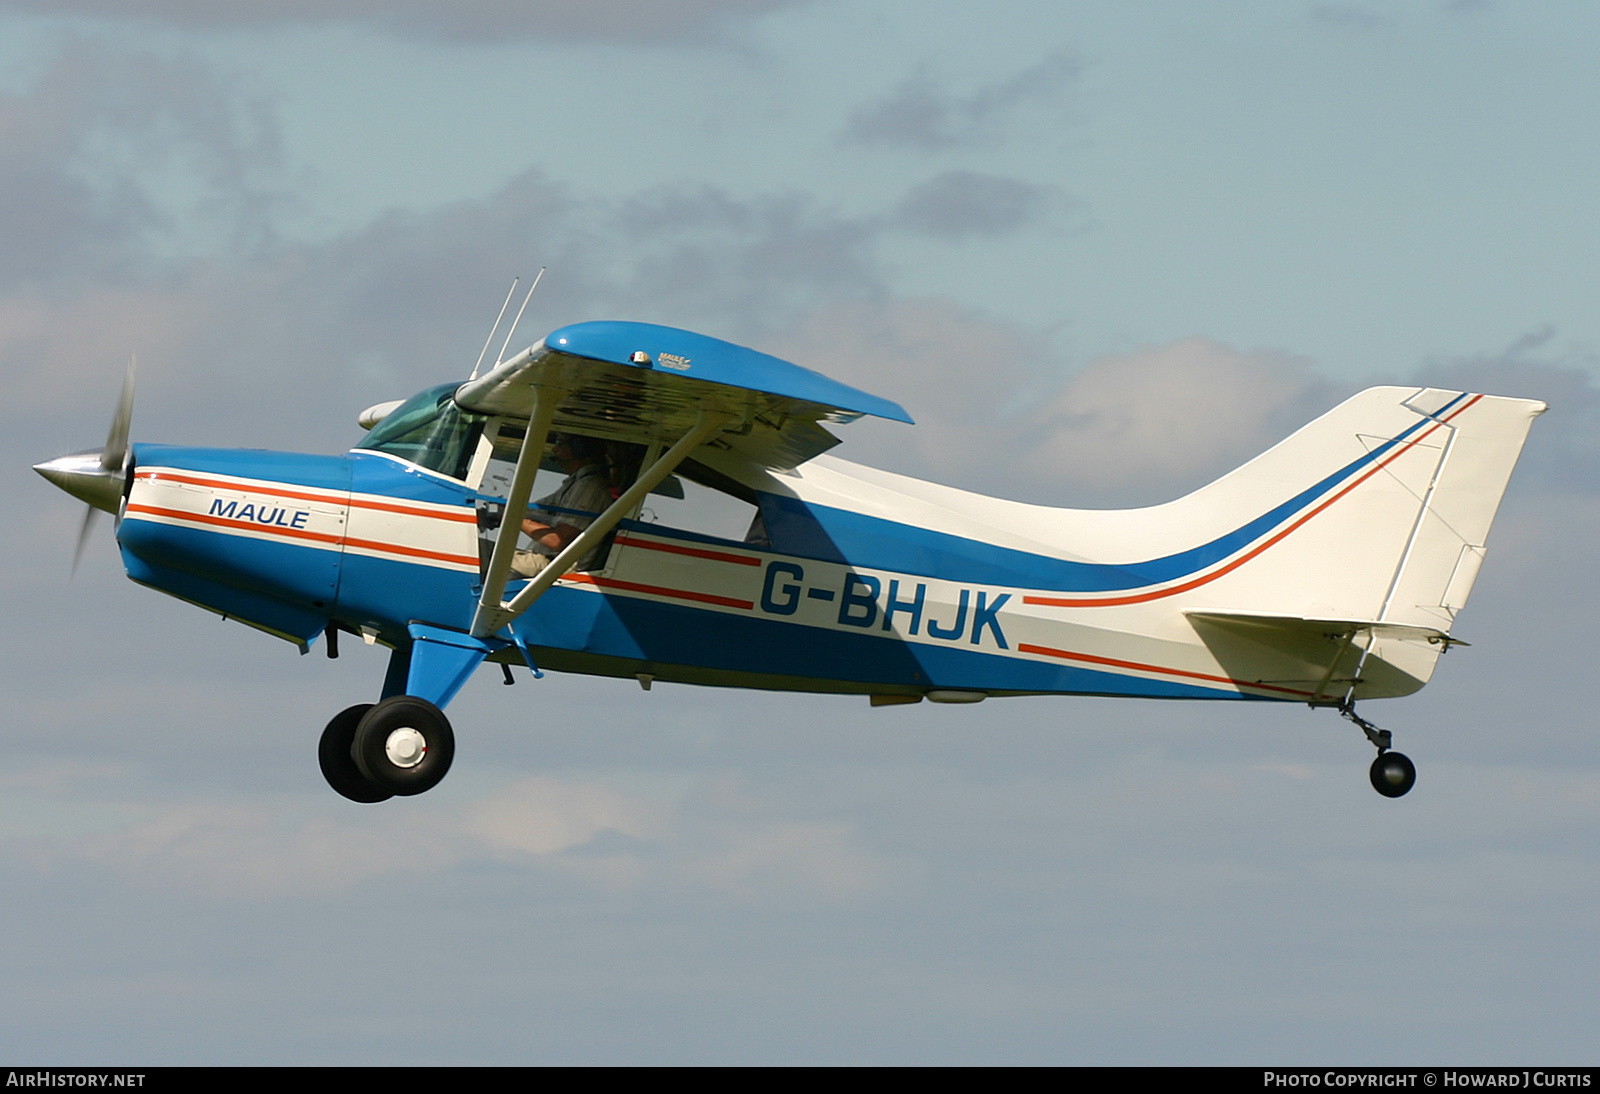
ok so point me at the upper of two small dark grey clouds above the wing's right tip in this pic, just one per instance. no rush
(927, 116)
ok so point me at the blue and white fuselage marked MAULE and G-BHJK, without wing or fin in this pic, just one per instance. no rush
(857, 581)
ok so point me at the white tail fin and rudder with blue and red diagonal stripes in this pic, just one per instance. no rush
(1382, 553)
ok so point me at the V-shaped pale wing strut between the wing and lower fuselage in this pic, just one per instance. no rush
(492, 613)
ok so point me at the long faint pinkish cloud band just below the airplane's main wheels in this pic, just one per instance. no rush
(585, 829)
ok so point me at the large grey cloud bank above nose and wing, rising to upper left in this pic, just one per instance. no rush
(404, 300)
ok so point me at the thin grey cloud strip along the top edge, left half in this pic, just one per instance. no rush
(470, 22)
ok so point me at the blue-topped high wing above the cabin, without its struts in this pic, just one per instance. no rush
(644, 383)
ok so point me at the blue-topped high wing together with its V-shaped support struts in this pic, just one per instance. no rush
(668, 389)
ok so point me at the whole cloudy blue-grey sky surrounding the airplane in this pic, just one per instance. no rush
(1102, 254)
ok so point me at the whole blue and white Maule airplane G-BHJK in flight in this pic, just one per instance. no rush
(1326, 572)
